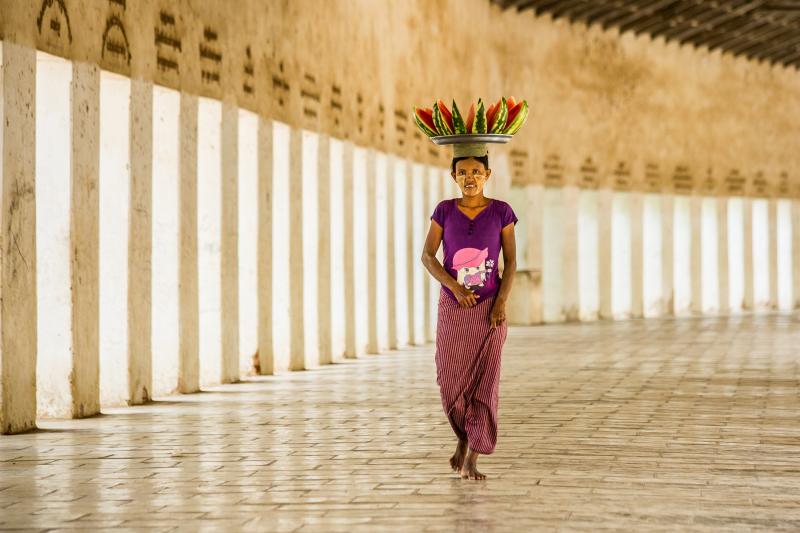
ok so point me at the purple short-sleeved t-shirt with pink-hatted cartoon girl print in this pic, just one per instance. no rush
(472, 246)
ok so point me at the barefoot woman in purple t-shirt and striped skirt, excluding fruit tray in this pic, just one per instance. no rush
(472, 319)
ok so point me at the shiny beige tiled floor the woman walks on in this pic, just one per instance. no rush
(690, 424)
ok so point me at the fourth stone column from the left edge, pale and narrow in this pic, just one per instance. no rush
(188, 296)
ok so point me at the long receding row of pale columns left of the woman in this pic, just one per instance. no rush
(380, 222)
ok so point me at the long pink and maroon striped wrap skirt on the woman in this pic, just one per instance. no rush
(468, 370)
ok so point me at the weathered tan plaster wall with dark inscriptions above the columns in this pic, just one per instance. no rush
(622, 111)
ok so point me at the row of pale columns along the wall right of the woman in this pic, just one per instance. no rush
(624, 254)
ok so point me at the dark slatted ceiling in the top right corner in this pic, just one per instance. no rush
(761, 30)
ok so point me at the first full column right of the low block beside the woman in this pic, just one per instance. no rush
(570, 281)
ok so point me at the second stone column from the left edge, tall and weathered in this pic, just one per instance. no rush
(84, 237)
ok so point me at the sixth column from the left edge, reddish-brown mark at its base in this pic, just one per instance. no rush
(266, 357)
